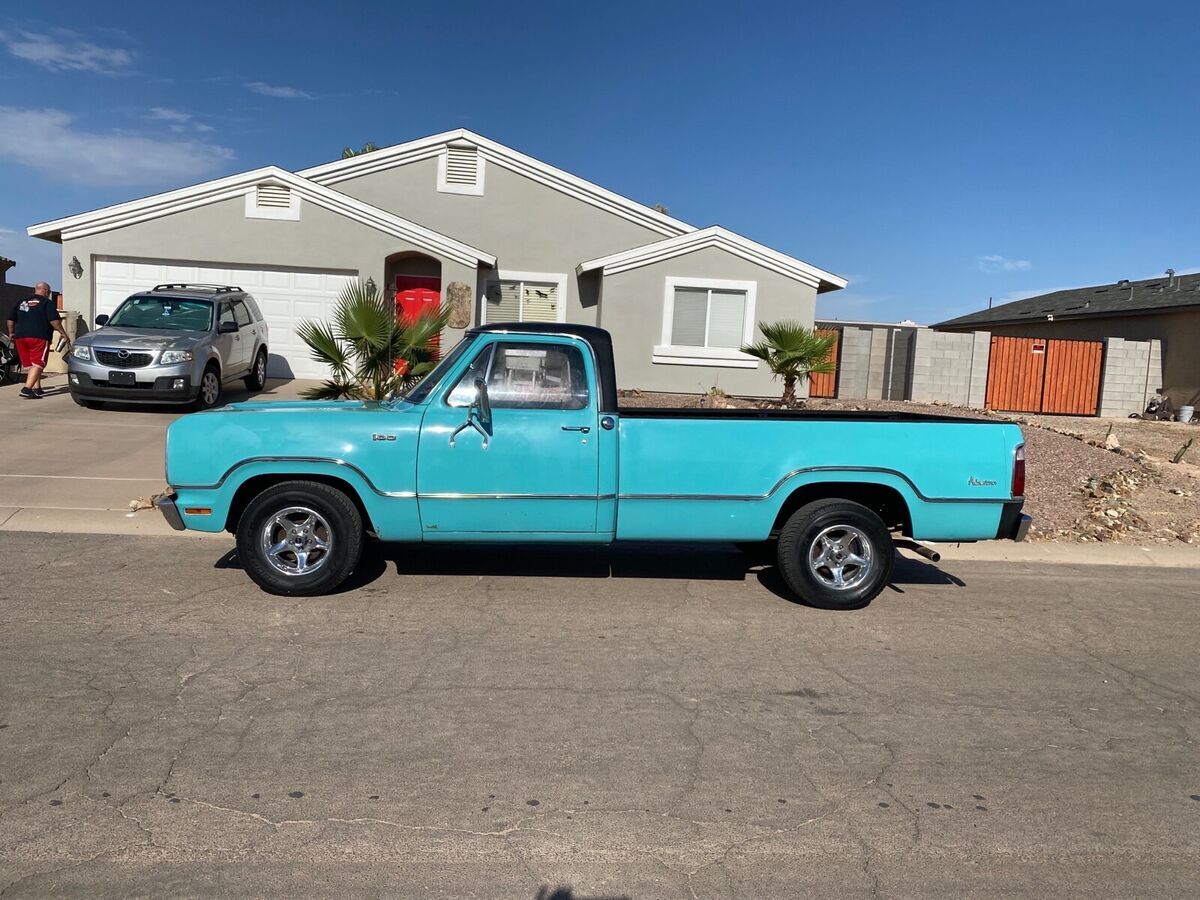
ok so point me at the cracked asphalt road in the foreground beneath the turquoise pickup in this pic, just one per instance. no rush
(651, 725)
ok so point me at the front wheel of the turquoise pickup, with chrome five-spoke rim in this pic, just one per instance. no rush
(301, 539)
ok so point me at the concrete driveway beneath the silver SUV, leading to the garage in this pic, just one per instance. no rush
(69, 469)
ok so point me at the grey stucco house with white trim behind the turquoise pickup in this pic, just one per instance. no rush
(529, 241)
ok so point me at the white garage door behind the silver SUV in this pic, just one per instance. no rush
(286, 297)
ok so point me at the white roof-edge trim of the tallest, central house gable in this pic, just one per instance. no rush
(388, 158)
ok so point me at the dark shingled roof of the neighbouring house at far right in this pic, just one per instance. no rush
(1126, 298)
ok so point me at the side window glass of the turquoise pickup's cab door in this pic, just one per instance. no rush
(527, 376)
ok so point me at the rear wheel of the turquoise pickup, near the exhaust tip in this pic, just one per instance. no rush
(836, 555)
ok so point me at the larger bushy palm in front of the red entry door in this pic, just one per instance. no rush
(370, 351)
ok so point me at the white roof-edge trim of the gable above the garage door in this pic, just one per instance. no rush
(224, 189)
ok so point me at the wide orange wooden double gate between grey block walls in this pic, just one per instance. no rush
(1035, 375)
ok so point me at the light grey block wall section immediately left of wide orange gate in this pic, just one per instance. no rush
(951, 368)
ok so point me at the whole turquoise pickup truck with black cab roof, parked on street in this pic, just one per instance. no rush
(518, 437)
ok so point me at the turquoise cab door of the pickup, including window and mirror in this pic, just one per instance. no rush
(535, 471)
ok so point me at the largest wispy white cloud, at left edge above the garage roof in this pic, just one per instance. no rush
(45, 140)
